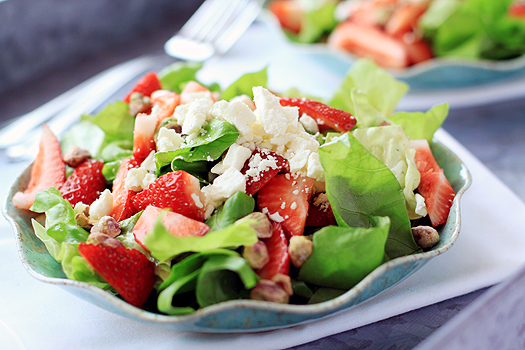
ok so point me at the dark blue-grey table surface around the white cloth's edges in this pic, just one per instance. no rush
(51, 46)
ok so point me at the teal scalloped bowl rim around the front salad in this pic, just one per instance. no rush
(240, 315)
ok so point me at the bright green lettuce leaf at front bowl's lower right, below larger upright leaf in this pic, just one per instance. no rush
(343, 256)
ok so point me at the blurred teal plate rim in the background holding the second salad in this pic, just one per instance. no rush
(435, 74)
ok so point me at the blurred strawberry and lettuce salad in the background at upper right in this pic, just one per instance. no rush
(398, 33)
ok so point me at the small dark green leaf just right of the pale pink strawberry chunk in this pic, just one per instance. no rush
(237, 206)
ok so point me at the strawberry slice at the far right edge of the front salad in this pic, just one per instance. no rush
(434, 186)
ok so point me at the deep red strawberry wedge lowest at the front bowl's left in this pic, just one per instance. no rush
(127, 270)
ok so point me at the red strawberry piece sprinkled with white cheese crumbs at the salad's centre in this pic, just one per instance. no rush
(255, 182)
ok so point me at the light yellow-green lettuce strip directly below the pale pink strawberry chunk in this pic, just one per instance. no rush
(163, 246)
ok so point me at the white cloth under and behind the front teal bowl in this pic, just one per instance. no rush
(34, 315)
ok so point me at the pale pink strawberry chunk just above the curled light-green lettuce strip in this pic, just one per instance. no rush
(178, 225)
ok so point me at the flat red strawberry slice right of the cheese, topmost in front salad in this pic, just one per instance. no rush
(326, 117)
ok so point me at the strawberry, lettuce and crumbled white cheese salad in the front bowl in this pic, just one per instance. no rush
(184, 195)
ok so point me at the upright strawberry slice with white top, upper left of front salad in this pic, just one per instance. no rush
(143, 133)
